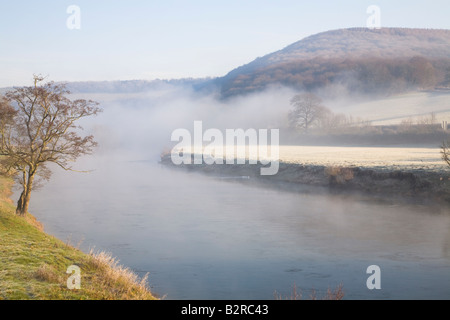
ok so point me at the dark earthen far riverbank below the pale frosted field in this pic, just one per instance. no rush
(413, 183)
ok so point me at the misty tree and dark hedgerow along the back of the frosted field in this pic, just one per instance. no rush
(310, 122)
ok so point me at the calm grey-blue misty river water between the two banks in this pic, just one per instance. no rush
(205, 238)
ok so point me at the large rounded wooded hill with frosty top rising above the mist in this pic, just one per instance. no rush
(387, 60)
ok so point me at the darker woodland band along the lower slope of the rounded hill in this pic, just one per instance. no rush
(364, 75)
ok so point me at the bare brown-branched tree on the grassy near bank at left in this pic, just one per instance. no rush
(38, 129)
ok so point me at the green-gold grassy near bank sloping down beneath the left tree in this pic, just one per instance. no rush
(33, 264)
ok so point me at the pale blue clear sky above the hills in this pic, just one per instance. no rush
(145, 39)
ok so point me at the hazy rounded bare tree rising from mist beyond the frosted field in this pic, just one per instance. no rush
(307, 111)
